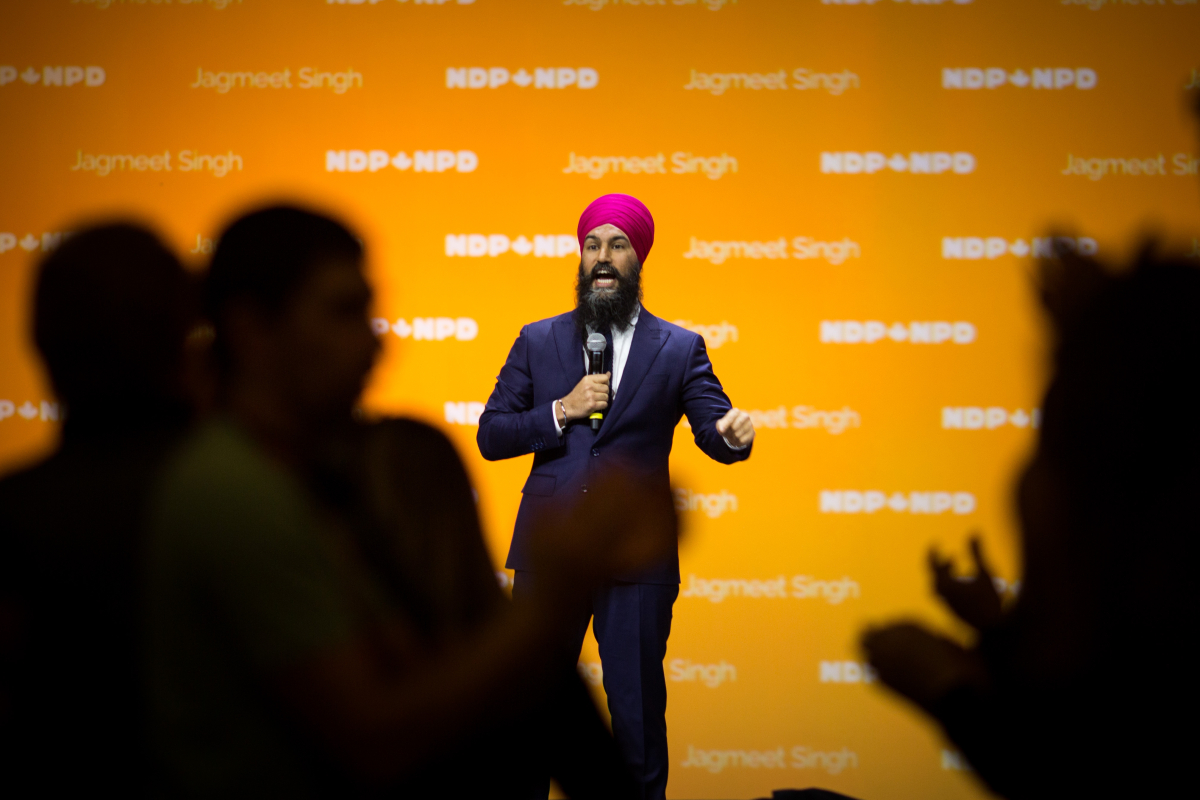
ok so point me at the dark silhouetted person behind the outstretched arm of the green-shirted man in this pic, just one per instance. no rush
(406, 495)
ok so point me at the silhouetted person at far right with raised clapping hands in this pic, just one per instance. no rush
(1079, 689)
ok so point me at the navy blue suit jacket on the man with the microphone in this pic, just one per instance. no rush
(668, 375)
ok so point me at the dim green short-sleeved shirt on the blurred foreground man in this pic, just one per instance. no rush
(243, 579)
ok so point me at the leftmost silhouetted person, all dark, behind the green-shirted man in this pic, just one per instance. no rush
(111, 314)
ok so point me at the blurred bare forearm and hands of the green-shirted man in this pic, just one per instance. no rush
(383, 723)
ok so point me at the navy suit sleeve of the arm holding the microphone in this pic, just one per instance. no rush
(511, 424)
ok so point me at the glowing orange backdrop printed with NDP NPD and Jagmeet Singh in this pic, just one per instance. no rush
(849, 195)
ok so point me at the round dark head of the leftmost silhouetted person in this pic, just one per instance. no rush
(112, 310)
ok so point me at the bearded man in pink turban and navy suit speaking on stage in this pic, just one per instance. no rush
(655, 374)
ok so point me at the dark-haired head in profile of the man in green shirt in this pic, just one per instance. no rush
(289, 303)
